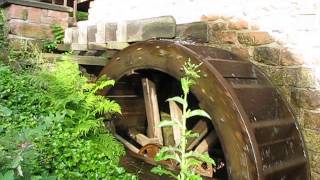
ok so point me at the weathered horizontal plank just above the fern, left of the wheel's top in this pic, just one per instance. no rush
(86, 60)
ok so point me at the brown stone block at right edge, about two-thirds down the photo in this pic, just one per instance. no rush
(312, 119)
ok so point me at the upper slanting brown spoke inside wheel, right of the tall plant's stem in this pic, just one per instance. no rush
(202, 129)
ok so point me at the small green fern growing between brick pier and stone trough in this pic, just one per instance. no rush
(58, 35)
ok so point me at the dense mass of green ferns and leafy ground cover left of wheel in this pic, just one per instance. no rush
(52, 126)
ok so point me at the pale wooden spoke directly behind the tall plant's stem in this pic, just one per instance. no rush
(176, 115)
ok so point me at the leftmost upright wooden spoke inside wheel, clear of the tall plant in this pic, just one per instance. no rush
(152, 109)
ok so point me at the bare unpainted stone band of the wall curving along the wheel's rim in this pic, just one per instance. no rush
(294, 78)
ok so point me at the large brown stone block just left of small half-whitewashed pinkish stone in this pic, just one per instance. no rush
(267, 55)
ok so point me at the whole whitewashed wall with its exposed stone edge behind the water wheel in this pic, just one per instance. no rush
(281, 37)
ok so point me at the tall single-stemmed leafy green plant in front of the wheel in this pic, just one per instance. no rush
(187, 160)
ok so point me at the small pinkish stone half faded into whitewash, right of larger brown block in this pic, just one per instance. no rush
(288, 58)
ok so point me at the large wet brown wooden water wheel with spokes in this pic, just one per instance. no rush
(252, 132)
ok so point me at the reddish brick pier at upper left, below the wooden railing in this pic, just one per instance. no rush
(33, 22)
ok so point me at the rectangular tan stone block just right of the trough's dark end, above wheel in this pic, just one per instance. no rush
(223, 37)
